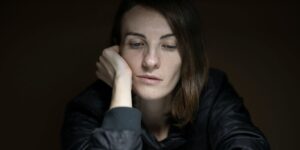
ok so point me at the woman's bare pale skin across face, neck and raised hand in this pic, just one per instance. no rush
(147, 62)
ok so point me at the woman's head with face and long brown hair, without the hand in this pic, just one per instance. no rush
(160, 40)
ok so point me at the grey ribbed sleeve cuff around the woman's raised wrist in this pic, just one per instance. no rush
(121, 118)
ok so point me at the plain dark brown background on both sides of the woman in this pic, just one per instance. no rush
(48, 52)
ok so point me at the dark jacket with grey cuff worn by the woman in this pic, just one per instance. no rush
(222, 123)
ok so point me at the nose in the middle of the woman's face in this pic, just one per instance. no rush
(151, 60)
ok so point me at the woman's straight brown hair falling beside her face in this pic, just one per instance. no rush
(183, 20)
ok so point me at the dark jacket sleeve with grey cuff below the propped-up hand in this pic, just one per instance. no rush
(116, 129)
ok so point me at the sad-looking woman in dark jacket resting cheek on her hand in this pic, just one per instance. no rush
(156, 91)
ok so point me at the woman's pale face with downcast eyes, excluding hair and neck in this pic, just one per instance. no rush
(150, 48)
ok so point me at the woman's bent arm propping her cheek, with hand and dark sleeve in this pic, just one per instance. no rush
(119, 127)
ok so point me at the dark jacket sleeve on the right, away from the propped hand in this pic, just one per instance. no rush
(230, 123)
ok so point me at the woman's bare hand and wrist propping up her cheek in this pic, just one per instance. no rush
(113, 70)
